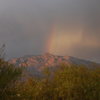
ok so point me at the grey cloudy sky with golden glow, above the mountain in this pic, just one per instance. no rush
(61, 27)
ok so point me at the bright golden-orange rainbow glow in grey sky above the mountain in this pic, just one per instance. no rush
(62, 40)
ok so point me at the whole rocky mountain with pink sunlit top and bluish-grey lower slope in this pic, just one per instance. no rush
(36, 64)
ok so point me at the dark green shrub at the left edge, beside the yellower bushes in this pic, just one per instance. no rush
(9, 74)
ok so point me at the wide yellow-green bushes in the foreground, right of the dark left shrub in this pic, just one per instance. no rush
(67, 83)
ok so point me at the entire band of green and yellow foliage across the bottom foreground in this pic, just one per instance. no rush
(66, 83)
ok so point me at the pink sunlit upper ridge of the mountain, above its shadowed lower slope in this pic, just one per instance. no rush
(47, 59)
